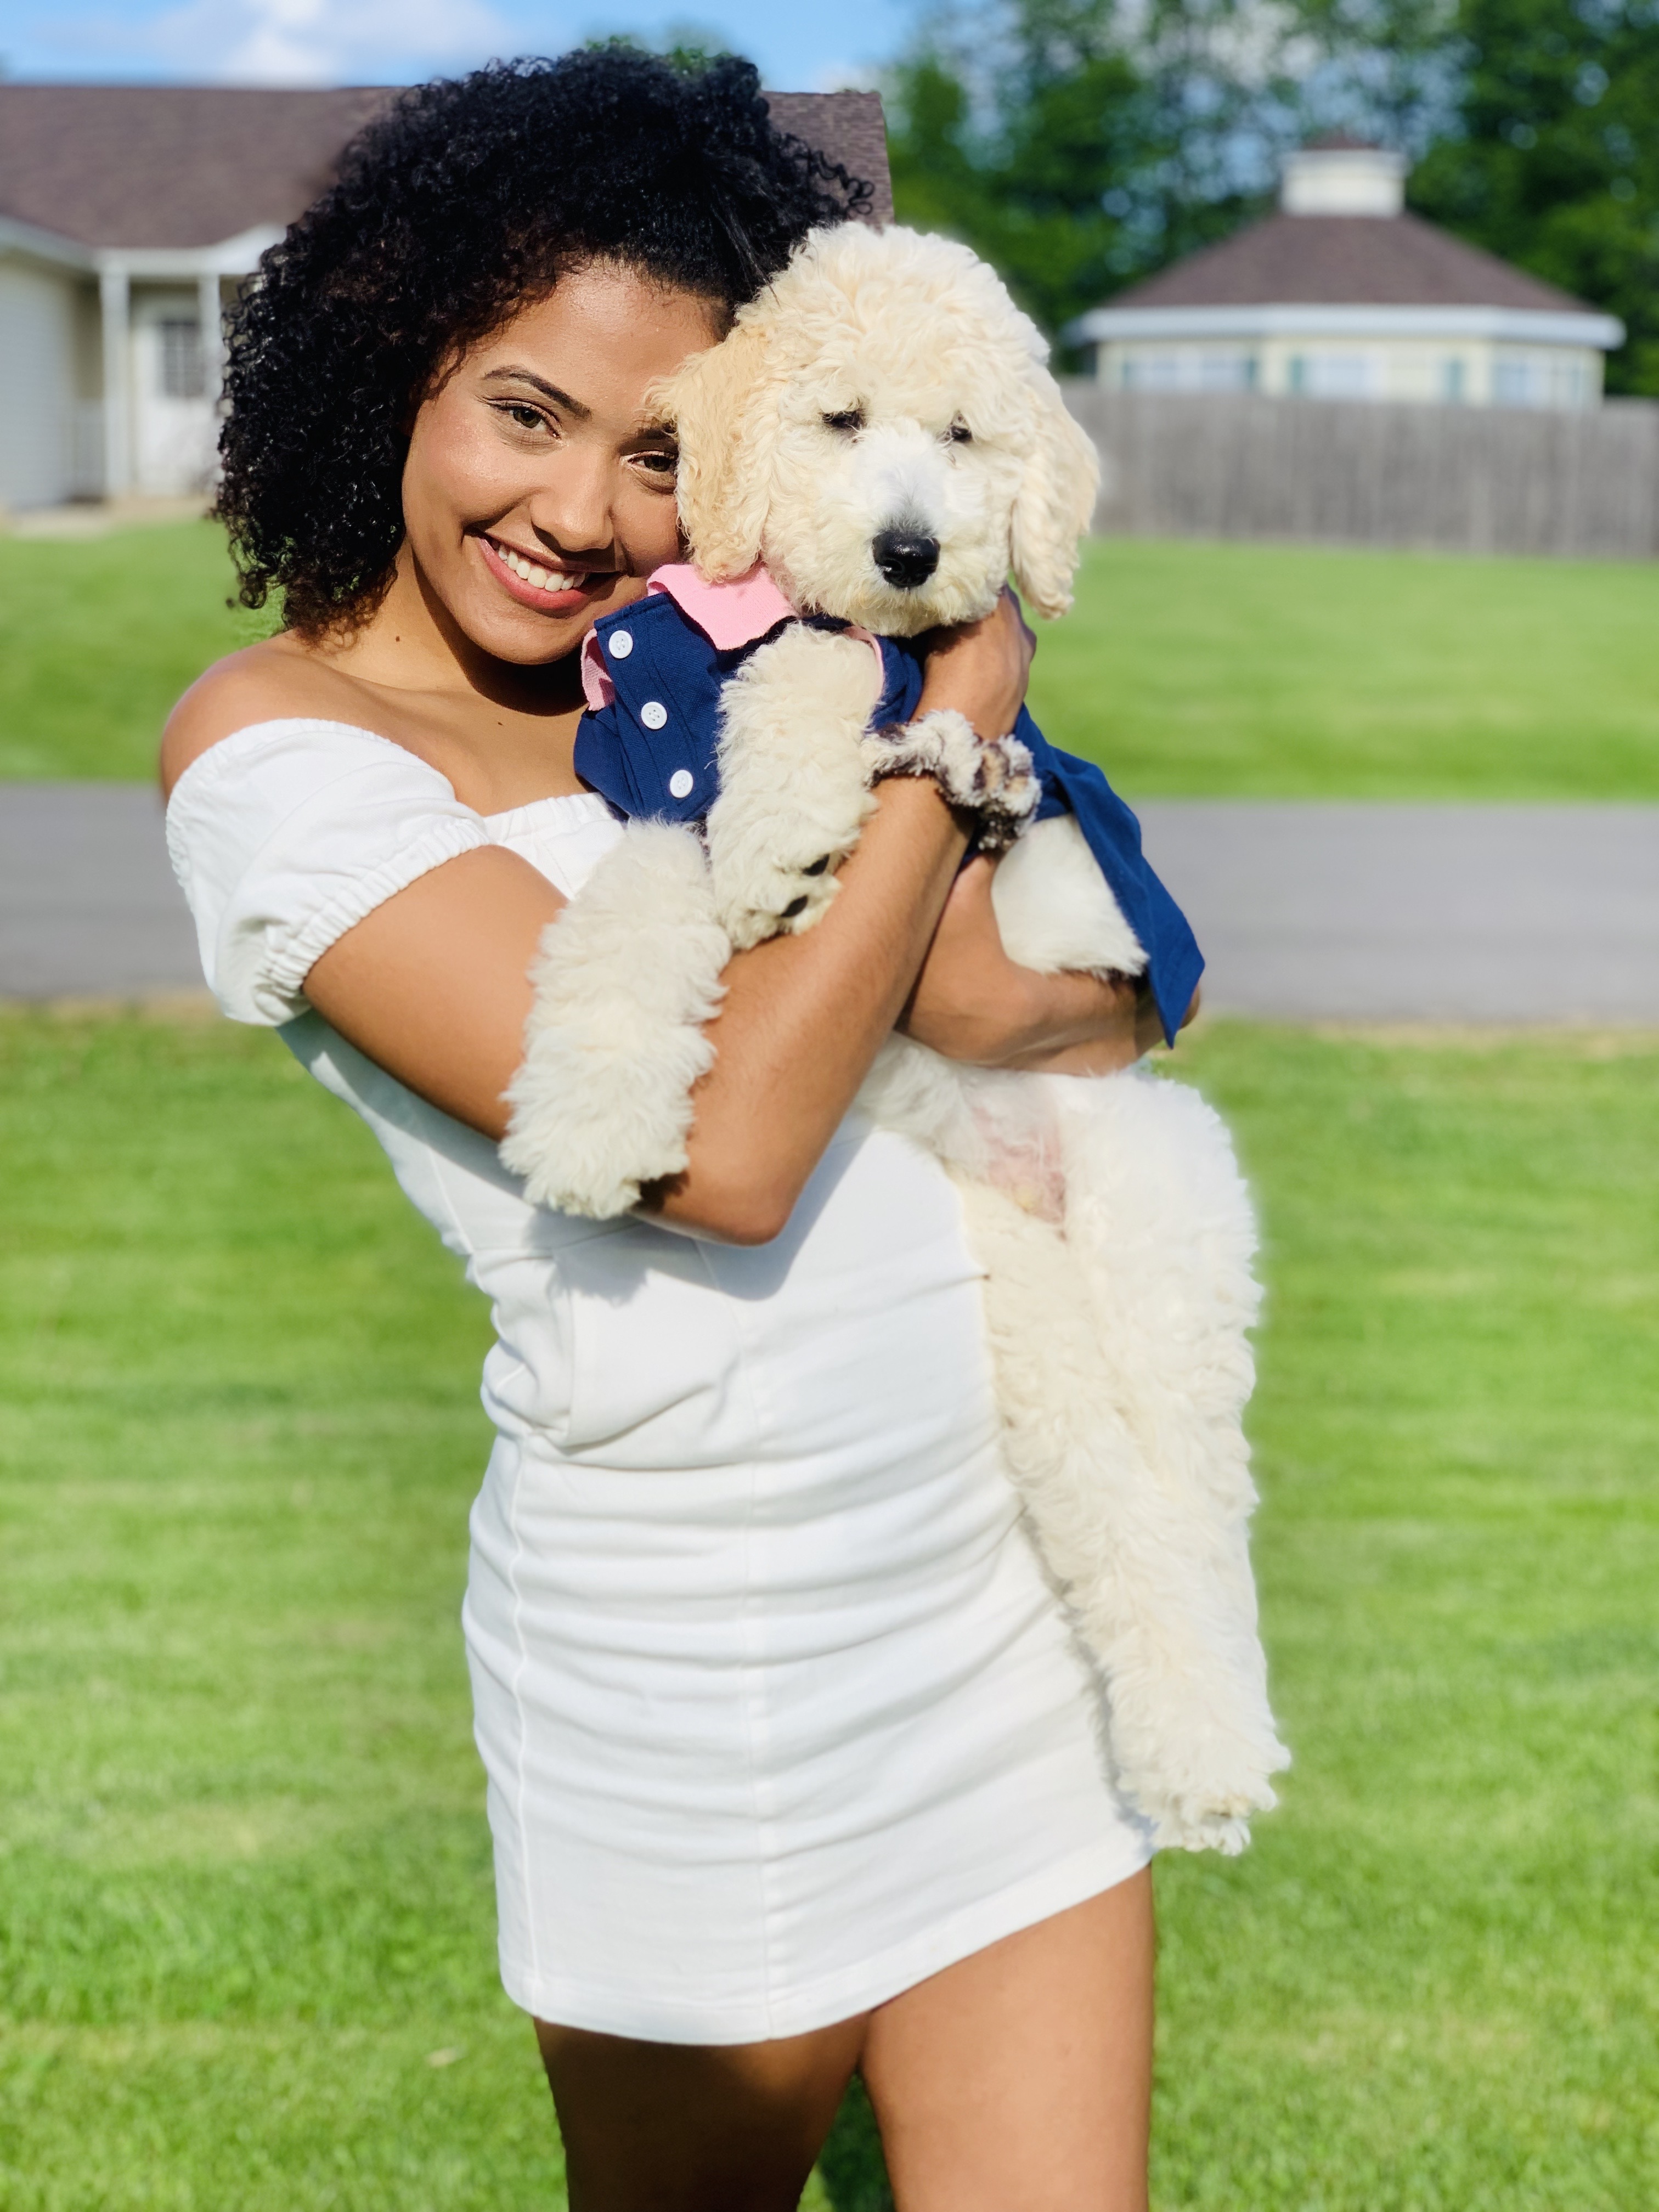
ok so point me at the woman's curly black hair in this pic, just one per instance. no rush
(459, 205)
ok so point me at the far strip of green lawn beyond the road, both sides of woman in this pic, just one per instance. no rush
(1187, 669)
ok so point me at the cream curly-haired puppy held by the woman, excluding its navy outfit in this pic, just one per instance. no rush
(881, 435)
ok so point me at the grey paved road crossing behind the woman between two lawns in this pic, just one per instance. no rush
(1308, 912)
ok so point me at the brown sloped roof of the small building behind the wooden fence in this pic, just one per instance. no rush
(1346, 262)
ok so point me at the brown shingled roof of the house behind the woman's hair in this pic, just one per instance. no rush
(191, 165)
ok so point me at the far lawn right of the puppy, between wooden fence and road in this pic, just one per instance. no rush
(1311, 674)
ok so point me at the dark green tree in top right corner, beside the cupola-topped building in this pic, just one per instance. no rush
(1554, 158)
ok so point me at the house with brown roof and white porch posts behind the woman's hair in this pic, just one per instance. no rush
(132, 213)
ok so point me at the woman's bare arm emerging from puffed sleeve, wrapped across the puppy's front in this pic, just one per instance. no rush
(435, 985)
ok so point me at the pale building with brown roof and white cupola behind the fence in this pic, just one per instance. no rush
(1344, 295)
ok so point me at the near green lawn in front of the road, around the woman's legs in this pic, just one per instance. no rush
(244, 1872)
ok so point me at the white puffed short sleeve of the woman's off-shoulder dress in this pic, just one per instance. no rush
(291, 833)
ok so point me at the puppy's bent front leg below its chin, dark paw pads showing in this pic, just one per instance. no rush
(795, 789)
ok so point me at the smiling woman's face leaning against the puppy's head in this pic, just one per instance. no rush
(539, 492)
